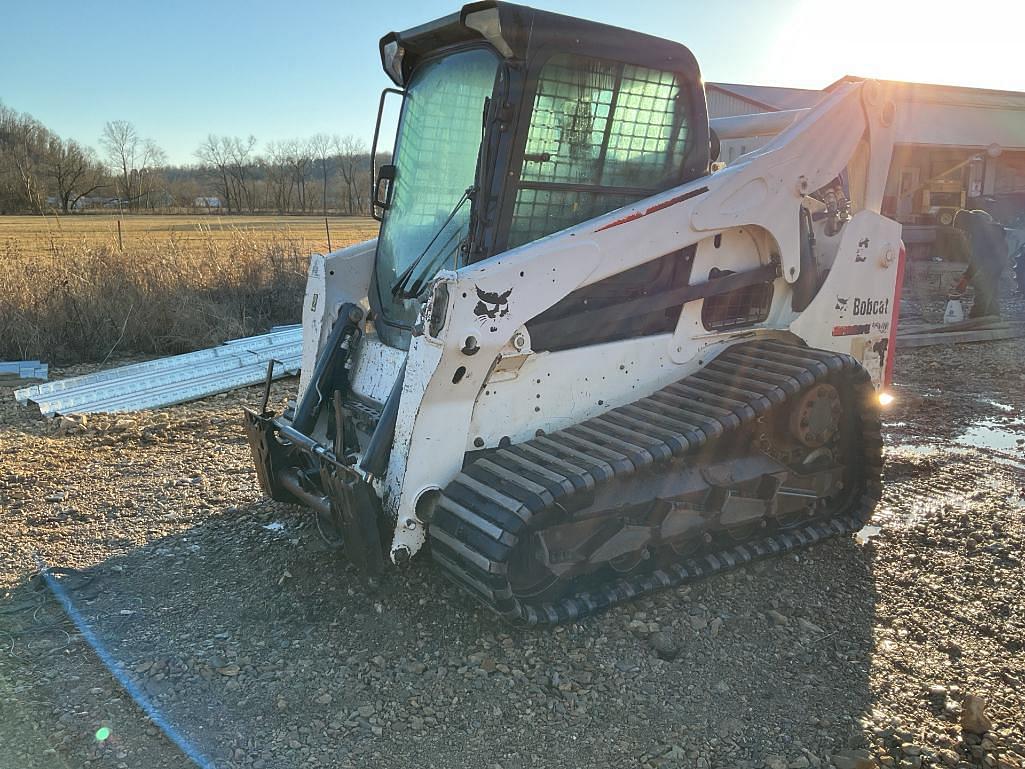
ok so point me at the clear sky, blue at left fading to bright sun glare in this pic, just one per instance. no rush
(184, 69)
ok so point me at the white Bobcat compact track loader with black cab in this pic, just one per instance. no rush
(577, 363)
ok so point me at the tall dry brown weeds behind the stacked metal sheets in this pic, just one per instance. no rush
(90, 302)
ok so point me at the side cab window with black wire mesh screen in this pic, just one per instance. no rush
(602, 135)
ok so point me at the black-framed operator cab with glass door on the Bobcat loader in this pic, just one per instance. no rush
(516, 125)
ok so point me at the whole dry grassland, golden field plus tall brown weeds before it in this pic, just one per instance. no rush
(70, 293)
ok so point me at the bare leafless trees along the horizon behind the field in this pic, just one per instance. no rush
(42, 173)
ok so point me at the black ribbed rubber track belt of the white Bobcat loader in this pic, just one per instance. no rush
(491, 504)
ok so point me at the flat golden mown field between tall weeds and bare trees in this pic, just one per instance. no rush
(33, 236)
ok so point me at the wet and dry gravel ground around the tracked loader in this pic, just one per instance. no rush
(255, 645)
